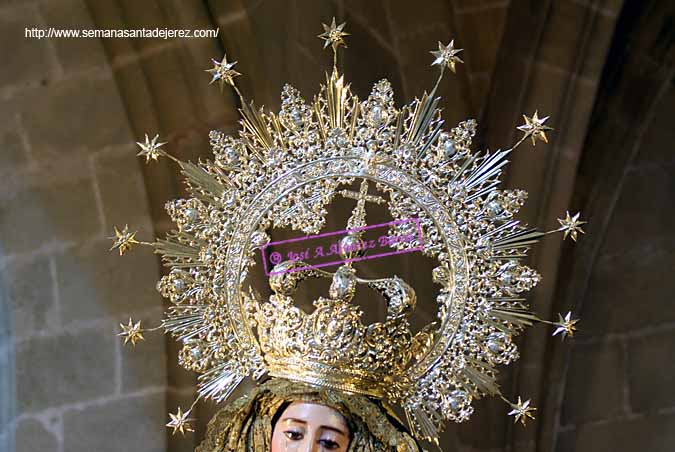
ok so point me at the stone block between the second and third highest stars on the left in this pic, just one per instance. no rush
(123, 196)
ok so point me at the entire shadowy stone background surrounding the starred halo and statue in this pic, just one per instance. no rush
(71, 111)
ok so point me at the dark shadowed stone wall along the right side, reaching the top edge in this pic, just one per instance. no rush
(619, 376)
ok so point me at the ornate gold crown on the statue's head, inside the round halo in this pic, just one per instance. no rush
(331, 346)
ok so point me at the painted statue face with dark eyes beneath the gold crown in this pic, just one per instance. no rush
(310, 427)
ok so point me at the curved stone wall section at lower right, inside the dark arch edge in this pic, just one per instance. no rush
(619, 393)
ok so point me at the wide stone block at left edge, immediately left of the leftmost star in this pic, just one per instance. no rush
(39, 215)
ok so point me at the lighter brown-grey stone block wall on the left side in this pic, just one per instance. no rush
(68, 175)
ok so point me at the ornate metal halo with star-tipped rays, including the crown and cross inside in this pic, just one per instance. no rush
(283, 170)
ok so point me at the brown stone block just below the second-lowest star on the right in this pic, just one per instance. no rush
(595, 384)
